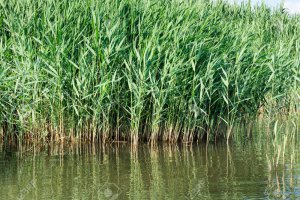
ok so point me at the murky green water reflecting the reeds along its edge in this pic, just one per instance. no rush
(164, 172)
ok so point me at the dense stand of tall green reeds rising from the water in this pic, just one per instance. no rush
(143, 69)
